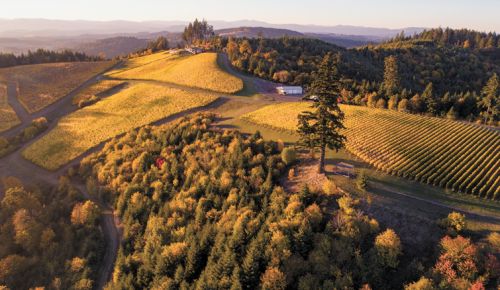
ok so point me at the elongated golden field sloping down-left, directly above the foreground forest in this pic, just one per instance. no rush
(132, 107)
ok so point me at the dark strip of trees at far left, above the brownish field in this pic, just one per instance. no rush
(44, 56)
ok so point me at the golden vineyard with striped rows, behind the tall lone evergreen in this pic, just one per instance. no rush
(457, 156)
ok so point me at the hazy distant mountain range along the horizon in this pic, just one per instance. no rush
(113, 38)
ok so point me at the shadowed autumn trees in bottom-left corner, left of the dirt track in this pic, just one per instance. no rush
(48, 238)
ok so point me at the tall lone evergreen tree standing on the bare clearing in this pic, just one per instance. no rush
(320, 127)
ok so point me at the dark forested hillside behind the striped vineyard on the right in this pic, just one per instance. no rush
(431, 67)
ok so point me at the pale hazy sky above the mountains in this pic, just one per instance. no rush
(477, 14)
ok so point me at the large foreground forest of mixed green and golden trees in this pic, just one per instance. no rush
(203, 209)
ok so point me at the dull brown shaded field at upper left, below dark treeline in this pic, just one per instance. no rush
(42, 84)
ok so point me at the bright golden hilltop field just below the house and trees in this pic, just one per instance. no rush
(197, 71)
